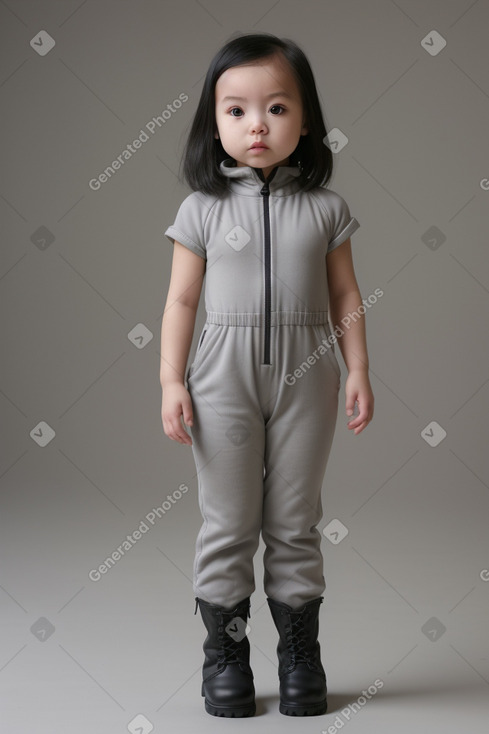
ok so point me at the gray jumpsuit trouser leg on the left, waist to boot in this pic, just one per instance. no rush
(228, 447)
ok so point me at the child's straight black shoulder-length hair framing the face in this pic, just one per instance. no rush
(203, 153)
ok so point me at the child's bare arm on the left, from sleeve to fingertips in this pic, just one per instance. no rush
(177, 328)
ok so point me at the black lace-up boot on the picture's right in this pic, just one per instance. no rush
(302, 677)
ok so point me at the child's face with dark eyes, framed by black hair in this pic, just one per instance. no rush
(277, 120)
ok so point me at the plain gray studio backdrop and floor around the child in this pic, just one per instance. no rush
(83, 281)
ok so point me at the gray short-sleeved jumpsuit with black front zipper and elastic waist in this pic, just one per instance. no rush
(264, 381)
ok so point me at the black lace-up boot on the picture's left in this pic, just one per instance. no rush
(227, 679)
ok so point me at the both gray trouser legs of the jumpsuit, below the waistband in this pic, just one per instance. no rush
(261, 446)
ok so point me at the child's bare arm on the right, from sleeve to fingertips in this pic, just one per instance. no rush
(344, 300)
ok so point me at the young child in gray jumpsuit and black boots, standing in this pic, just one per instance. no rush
(261, 400)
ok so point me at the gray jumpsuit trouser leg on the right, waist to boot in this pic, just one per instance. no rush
(299, 435)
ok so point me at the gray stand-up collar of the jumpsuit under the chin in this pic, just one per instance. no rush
(248, 181)
